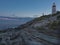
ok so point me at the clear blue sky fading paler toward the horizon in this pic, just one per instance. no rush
(26, 8)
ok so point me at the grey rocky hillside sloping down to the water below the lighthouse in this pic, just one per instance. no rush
(40, 31)
